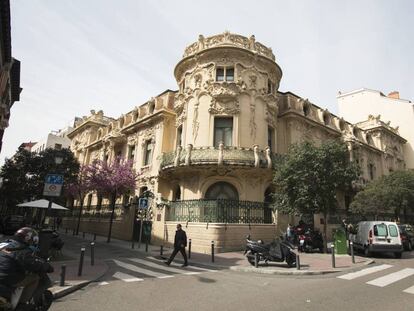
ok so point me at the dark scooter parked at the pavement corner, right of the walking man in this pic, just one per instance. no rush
(277, 251)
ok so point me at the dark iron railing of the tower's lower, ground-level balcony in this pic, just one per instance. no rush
(220, 211)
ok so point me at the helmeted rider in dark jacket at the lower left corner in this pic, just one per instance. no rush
(20, 267)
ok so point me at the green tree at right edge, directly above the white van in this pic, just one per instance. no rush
(393, 193)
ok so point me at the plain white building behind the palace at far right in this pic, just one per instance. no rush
(359, 105)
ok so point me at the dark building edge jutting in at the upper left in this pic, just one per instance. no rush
(9, 70)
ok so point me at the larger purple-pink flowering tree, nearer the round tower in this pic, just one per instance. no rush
(112, 180)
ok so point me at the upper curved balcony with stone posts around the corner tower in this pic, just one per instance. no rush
(234, 156)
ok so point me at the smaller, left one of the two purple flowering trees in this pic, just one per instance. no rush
(79, 188)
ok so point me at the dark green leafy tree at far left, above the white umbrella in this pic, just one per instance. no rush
(24, 174)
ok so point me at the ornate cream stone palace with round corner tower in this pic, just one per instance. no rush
(207, 151)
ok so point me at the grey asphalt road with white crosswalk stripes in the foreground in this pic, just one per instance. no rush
(127, 286)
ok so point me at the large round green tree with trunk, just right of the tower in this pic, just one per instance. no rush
(308, 178)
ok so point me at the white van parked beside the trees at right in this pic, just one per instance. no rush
(377, 237)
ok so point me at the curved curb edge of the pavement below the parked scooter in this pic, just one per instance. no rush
(297, 272)
